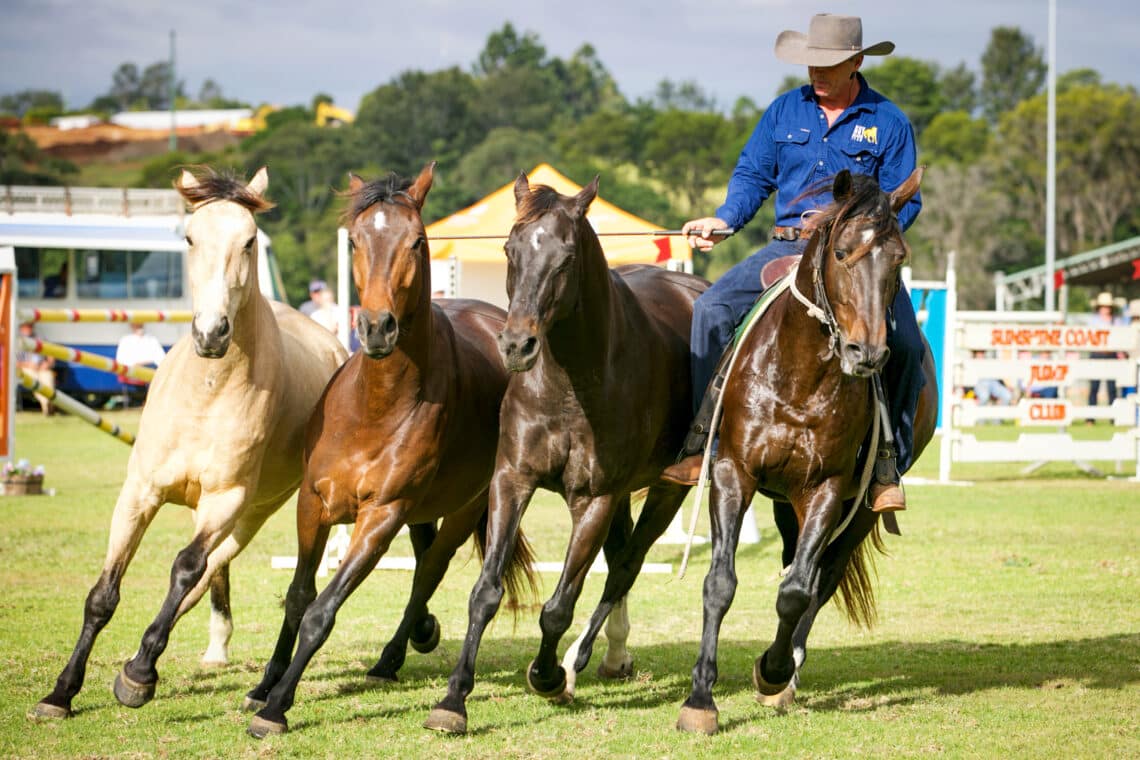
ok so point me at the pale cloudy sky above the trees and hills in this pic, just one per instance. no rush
(288, 51)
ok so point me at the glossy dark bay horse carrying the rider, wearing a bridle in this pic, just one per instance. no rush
(799, 408)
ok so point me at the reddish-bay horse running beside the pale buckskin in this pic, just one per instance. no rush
(404, 435)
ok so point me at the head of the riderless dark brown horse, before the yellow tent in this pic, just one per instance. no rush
(544, 267)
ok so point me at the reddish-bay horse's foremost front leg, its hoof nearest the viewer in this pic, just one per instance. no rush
(376, 528)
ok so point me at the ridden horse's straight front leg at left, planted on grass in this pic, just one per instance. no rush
(732, 493)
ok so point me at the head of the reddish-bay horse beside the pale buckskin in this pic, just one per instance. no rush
(390, 259)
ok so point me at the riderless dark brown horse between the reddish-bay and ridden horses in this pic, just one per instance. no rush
(598, 406)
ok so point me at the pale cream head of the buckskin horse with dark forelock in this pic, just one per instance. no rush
(223, 240)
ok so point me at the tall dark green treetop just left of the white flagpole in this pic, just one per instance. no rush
(1013, 70)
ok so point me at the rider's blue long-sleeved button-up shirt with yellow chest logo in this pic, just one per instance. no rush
(793, 148)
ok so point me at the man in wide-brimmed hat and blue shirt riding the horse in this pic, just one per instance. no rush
(807, 136)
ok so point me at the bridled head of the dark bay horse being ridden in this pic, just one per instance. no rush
(857, 258)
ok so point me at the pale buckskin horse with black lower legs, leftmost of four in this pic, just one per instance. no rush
(222, 432)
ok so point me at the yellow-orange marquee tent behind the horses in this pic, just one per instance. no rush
(479, 268)
